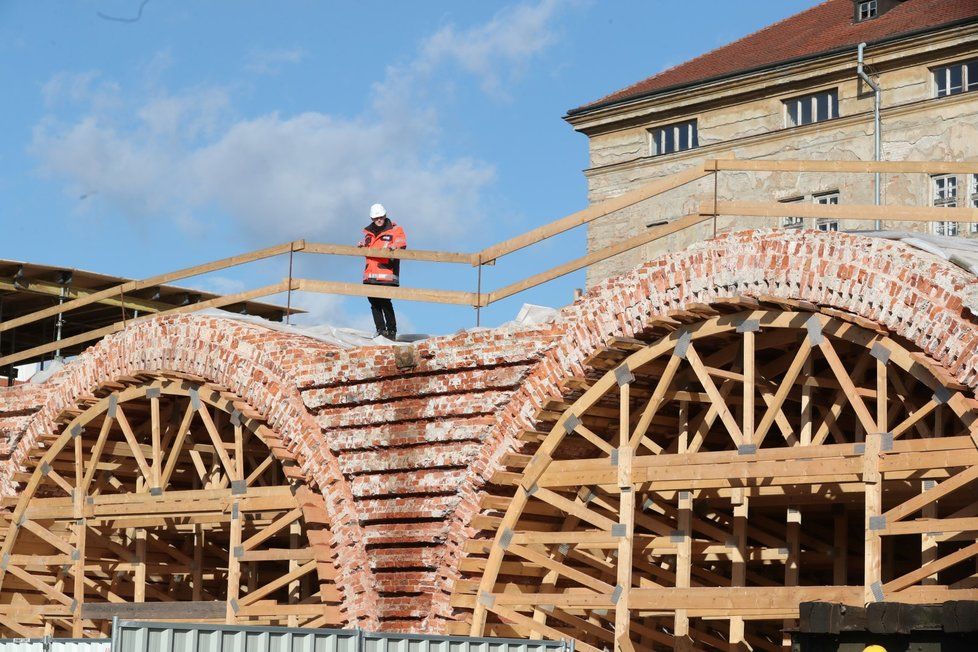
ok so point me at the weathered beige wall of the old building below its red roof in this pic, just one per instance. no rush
(745, 117)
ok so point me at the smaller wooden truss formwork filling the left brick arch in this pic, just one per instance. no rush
(167, 498)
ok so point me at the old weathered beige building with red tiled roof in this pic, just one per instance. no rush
(793, 90)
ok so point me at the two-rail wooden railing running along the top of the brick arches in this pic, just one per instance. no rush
(709, 210)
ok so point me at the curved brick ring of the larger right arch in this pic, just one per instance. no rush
(917, 296)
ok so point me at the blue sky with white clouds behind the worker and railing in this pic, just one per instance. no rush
(201, 130)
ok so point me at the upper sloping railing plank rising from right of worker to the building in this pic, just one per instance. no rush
(591, 213)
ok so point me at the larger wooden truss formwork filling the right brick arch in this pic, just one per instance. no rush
(696, 486)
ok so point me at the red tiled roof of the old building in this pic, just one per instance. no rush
(826, 27)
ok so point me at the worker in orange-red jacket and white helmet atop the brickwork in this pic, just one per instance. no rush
(381, 233)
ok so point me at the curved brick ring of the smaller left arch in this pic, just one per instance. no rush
(253, 363)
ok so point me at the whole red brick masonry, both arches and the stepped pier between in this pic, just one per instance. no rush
(401, 453)
